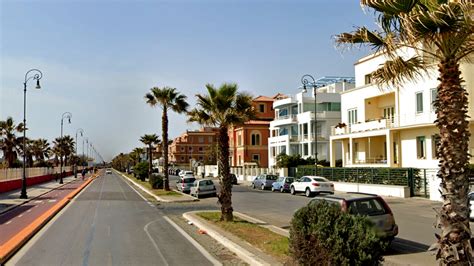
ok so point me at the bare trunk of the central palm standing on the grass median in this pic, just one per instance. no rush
(225, 196)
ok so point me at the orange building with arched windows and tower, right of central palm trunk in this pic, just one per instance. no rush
(248, 143)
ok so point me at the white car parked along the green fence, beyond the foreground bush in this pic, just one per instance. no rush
(311, 185)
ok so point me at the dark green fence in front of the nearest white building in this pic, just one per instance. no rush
(411, 177)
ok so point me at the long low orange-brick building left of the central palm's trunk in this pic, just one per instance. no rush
(192, 145)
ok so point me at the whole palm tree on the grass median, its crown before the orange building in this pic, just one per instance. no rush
(222, 108)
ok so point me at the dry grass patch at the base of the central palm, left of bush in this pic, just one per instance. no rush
(270, 242)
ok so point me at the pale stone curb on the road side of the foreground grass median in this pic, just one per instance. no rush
(241, 252)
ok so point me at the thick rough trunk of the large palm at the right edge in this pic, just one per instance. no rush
(452, 104)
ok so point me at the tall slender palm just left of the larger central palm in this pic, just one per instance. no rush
(167, 98)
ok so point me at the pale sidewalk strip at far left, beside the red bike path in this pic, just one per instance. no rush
(11, 199)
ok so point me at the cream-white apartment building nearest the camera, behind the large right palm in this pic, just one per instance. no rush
(391, 127)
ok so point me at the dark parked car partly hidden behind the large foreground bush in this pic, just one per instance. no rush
(370, 205)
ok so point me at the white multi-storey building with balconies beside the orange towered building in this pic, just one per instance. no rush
(292, 130)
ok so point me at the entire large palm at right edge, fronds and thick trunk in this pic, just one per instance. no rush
(439, 32)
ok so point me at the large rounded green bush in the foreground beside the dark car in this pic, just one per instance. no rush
(321, 234)
